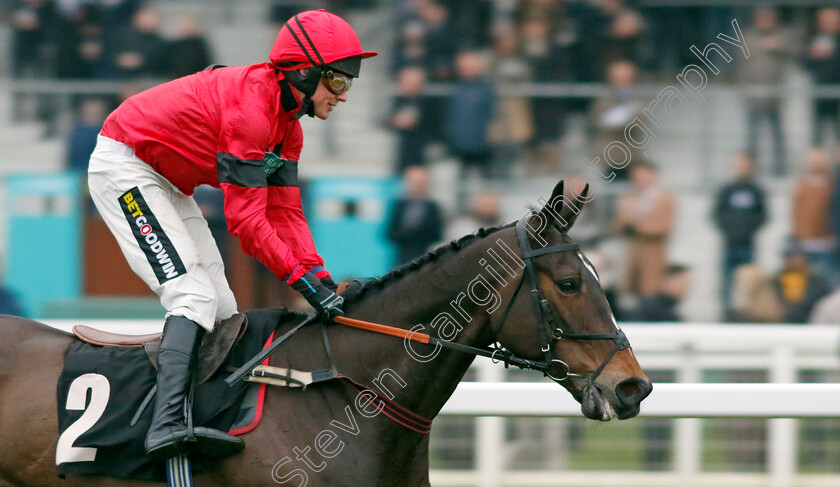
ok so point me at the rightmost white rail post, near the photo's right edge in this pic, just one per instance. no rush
(782, 449)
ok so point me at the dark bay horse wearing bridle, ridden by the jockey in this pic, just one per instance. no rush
(525, 287)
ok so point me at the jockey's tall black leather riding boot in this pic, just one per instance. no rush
(169, 435)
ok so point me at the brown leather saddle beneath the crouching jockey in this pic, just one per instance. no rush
(215, 346)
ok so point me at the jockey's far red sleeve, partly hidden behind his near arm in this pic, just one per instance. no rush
(284, 205)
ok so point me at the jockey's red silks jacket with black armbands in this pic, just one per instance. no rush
(215, 127)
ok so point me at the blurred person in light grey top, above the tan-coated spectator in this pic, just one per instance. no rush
(612, 112)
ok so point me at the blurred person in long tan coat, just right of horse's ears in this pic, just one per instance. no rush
(645, 217)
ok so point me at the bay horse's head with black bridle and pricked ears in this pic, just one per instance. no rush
(559, 314)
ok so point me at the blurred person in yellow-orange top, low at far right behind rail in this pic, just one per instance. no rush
(799, 286)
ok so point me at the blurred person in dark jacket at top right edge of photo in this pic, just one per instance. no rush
(823, 59)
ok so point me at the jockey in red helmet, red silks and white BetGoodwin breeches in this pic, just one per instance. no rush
(231, 127)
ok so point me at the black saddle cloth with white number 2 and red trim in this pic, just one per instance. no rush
(102, 388)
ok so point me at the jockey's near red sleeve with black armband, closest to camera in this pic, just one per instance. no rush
(245, 134)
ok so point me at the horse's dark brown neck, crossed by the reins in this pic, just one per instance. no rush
(434, 296)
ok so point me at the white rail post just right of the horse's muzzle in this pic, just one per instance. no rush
(688, 435)
